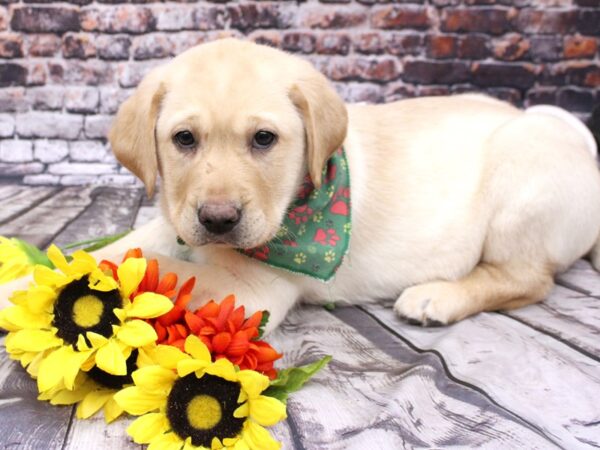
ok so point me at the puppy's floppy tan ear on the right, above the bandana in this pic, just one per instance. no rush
(325, 120)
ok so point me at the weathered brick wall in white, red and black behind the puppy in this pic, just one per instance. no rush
(66, 66)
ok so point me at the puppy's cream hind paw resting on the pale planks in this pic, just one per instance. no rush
(432, 304)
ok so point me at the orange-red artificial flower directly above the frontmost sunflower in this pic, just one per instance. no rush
(223, 329)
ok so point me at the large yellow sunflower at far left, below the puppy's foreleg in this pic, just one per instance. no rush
(78, 318)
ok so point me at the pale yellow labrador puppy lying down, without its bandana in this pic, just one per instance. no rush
(459, 204)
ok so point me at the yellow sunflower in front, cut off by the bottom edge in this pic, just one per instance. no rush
(188, 402)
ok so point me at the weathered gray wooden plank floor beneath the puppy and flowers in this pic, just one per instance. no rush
(525, 379)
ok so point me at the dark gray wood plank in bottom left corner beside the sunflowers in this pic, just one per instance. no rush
(25, 422)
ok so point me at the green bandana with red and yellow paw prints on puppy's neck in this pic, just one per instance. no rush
(315, 233)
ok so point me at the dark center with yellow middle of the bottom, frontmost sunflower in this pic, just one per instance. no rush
(202, 409)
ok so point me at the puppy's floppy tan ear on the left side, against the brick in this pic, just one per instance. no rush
(132, 135)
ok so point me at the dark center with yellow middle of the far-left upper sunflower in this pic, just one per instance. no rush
(80, 309)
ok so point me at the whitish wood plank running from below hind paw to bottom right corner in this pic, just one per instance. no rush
(532, 374)
